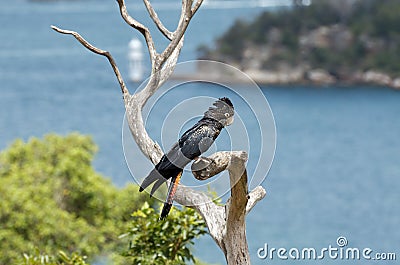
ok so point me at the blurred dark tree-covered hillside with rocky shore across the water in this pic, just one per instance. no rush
(345, 38)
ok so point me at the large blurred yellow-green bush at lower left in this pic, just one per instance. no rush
(52, 199)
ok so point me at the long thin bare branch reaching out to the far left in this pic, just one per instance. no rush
(86, 44)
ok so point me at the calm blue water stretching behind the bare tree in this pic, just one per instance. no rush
(337, 164)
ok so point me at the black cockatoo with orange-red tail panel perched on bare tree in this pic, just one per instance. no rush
(192, 144)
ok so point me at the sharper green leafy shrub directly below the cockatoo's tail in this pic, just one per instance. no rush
(163, 242)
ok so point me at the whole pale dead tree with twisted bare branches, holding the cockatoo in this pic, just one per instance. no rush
(226, 224)
